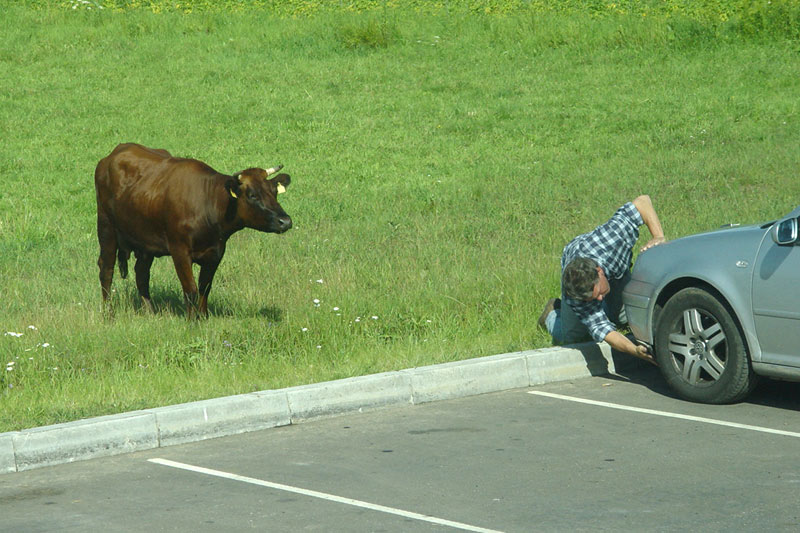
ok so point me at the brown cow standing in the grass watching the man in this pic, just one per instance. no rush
(153, 204)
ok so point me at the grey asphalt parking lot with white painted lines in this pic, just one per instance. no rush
(600, 453)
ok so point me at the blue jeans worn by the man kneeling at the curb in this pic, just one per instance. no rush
(565, 327)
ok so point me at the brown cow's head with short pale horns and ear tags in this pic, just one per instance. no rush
(257, 199)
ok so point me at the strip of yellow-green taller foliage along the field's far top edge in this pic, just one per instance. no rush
(685, 21)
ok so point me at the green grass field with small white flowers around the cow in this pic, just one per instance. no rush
(440, 162)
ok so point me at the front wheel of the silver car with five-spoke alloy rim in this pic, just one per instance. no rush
(700, 349)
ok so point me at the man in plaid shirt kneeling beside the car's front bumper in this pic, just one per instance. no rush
(595, 267)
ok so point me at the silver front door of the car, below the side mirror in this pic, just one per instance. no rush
(776, 301)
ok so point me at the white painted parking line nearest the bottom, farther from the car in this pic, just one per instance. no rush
(322, 495)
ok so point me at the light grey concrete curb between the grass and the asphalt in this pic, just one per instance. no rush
(190, 422)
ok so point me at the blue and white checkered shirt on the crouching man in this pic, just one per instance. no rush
(611, 247)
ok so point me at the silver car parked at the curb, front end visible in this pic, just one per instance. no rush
(721, 308)
